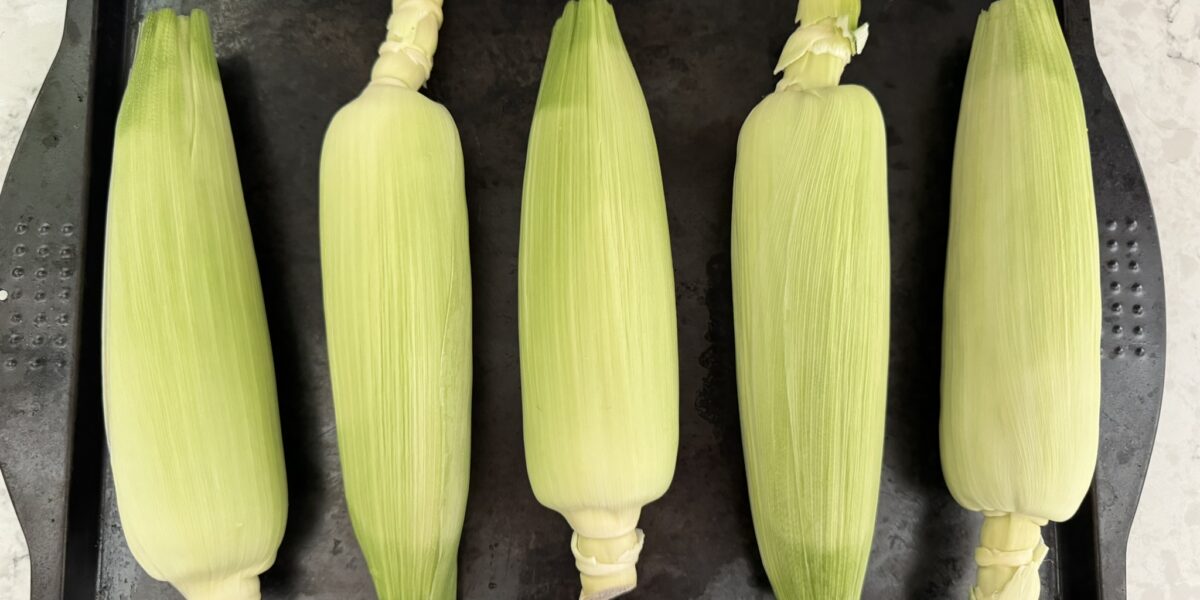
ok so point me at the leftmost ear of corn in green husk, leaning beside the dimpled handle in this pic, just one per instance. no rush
(190, 406)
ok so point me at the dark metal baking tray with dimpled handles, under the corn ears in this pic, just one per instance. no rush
(287, 65)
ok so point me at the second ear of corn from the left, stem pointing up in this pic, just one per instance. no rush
(398, 311)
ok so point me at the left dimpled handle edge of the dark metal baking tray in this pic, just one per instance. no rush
(44, 212)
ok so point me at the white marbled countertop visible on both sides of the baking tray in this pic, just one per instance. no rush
(1150, 51)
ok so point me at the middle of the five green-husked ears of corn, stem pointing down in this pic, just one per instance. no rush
(599, 362)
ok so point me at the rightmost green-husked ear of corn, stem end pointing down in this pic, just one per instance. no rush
(1021, 389)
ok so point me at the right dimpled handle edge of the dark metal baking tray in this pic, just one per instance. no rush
(1135, 337)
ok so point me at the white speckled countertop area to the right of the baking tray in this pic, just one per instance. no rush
(1150, 51)
